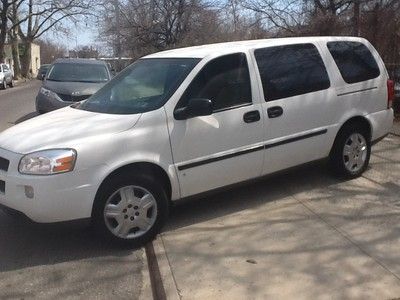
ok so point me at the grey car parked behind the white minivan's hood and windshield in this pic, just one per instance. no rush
(69, 81)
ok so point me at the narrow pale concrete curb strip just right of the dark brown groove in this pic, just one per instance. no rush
(168, 279)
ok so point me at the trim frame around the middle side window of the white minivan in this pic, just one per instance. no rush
(316, 47)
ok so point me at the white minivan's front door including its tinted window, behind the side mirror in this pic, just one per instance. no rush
(226, 147)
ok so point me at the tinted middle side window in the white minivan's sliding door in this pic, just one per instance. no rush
(291, 70)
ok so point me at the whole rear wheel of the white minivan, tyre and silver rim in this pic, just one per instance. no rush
(351, 151)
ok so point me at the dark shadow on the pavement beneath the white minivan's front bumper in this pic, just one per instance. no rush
(25, 244)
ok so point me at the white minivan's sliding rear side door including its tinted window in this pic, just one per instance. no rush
(296, 106)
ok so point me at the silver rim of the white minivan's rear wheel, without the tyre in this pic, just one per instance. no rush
(355, 152)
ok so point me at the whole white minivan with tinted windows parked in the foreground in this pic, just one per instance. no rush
(182, 122)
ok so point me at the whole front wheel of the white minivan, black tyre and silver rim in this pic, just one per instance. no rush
(130, 210)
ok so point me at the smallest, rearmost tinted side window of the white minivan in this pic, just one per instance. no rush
(354, 60)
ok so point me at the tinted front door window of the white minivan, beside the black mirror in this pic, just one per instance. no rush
(225, 81)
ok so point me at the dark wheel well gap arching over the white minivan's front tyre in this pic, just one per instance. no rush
(144, 168)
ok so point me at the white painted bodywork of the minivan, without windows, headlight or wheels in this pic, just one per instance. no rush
(197, 154)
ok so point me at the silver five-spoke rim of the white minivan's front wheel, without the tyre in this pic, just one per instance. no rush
(130, 212)
